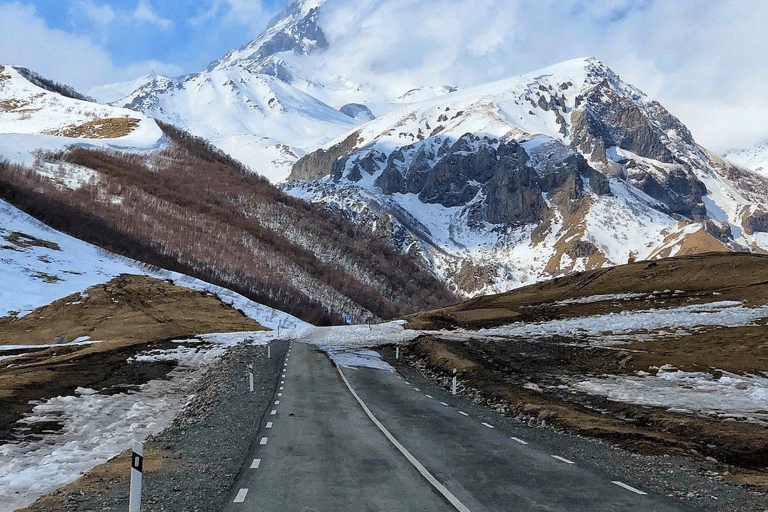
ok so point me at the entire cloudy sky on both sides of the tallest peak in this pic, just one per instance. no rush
(705, 60)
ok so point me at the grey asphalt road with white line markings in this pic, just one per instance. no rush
(359, 439)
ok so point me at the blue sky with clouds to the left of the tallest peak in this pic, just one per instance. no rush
(62, 39)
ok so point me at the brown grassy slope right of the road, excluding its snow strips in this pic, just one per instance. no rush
(523, 377)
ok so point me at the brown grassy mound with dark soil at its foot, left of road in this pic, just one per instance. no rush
(128, 315)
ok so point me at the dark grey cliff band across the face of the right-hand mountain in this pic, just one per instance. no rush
(497, 178)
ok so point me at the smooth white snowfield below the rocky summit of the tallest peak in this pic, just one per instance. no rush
(259, 119)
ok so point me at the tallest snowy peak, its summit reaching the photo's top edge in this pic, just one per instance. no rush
(245, 103)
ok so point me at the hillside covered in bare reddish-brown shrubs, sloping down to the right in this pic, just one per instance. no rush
(192, 209)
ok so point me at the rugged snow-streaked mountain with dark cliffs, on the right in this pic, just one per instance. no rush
(563, 169)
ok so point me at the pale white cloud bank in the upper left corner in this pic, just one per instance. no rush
(75, 60)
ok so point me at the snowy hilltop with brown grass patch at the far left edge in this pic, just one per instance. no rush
(37, 114)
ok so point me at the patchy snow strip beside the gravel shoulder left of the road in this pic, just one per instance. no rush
(96, 426)
